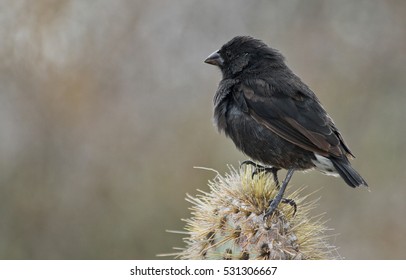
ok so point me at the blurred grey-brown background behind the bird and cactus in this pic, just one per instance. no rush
(106, 107)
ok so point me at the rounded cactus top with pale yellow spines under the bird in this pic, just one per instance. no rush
(228, 222)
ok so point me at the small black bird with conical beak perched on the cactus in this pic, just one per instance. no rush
(273, 117)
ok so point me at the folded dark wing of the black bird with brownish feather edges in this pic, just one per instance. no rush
(295, 115)
